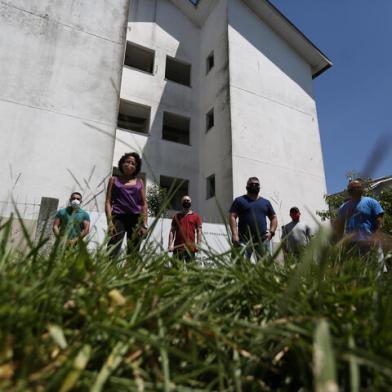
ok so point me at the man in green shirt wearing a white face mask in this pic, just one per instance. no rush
(72, 221)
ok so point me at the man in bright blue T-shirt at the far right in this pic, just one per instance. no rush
(360, 218)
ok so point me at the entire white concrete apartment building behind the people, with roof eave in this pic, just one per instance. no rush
(209, 92)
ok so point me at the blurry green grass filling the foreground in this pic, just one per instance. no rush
(74, 320)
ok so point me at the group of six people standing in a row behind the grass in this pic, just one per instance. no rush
(360, 219)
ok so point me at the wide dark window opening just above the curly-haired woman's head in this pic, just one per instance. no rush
(133, 116)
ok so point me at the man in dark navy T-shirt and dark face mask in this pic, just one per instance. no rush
(251, 210)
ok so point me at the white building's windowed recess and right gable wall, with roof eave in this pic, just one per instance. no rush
(226, 90)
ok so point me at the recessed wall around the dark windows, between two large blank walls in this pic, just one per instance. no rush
(151, 25)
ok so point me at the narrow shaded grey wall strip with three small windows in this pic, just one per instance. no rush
(215, 145)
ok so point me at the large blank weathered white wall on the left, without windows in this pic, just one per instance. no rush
(60, 72)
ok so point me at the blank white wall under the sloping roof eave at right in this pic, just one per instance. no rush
(275, 132)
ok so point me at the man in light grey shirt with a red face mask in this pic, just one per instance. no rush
(296, 234)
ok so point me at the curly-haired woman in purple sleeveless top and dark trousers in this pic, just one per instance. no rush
(126, 205)
